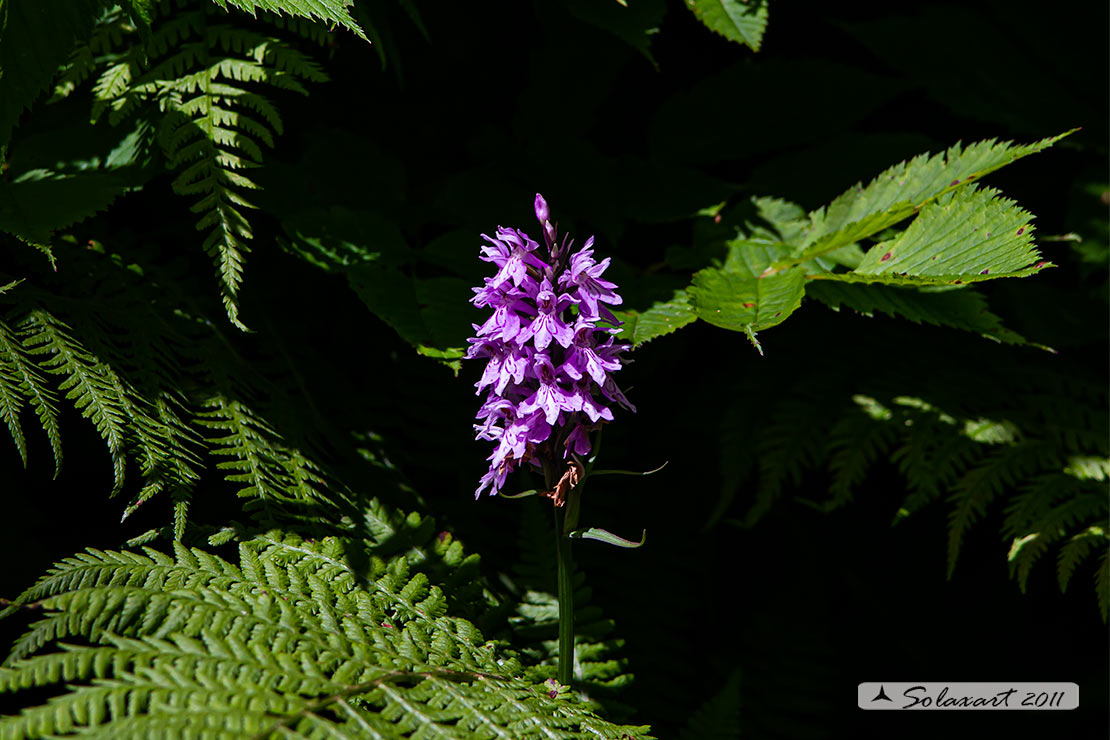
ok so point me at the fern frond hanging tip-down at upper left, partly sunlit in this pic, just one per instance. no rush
(205, 80)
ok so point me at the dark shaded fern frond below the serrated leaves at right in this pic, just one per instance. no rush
(1040, 450)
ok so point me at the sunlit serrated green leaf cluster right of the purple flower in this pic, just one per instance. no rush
(960, 235)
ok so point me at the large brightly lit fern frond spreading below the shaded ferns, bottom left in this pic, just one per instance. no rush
(290, 640)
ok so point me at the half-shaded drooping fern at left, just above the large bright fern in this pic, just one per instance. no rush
(132, 363)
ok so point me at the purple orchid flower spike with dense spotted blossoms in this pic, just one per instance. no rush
(549, 377)
